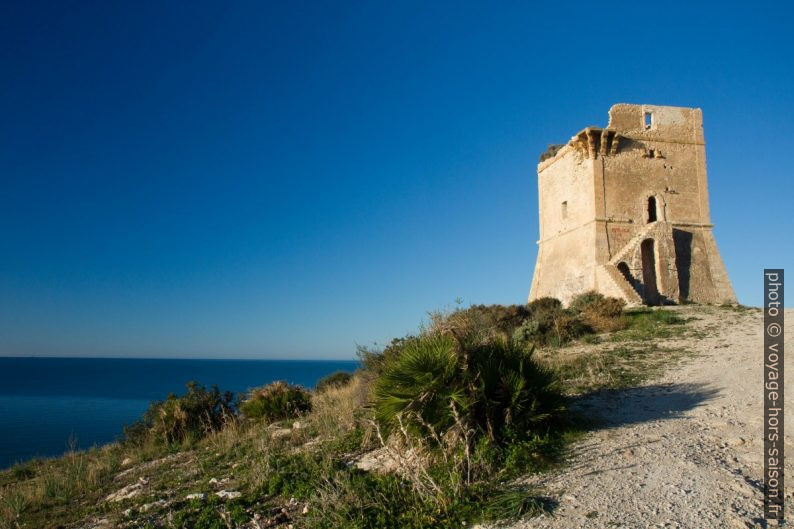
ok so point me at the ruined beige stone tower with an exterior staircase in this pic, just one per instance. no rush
(624, 210)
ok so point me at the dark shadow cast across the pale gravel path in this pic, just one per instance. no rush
(611, 408)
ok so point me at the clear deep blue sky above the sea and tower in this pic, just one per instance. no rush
(290, 179)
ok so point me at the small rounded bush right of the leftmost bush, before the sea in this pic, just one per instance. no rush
(277, 401)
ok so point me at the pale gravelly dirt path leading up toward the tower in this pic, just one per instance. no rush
(685, 450)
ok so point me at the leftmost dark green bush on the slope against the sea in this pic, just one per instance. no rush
(188, 417)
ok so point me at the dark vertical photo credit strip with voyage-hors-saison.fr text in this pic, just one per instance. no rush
(774, 491)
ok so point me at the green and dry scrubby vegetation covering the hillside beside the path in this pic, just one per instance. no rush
(432, 431)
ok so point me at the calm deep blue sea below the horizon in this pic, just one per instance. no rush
(45, 402)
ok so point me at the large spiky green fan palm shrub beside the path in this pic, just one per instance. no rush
(440, 382)
